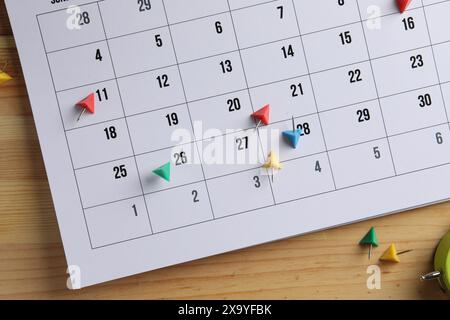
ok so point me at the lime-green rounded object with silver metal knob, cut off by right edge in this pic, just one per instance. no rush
(441, 264)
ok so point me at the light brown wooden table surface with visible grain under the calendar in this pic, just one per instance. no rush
(326, 264)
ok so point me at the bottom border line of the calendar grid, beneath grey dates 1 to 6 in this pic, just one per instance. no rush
(290, 201)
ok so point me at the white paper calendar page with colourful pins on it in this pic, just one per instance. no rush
(174, 130)
